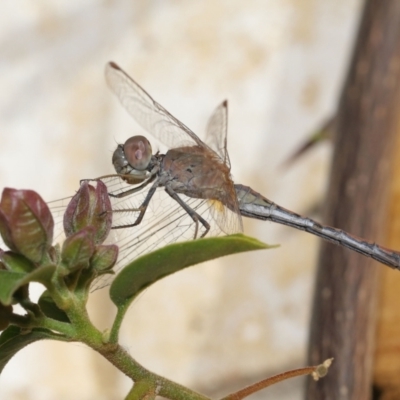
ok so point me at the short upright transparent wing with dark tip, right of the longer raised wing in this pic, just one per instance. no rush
(216, 132)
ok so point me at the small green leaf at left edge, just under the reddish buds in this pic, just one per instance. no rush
(10, 281)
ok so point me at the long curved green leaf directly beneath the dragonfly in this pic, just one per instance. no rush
(148, 269)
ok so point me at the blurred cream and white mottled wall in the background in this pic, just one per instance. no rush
(218, 326)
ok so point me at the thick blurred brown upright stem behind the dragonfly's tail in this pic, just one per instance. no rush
(343, 320)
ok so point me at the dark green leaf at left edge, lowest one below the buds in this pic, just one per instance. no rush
(13, 339)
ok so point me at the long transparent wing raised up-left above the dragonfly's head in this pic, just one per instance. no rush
(147, 112)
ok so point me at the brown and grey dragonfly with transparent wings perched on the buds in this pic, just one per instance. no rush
(195, 174)
